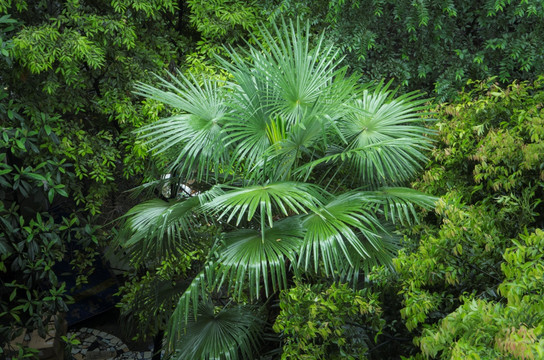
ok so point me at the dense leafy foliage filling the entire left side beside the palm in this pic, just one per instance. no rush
(66, 116)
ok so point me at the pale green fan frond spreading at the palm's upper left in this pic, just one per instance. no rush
(196, 133)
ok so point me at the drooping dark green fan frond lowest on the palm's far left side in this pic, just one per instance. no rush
(158, 227)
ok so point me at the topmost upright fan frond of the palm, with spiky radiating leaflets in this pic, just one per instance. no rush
(299, 79)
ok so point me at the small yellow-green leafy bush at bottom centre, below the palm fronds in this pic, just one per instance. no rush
(319, 322)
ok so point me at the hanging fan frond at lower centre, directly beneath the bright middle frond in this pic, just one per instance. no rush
(259, 258)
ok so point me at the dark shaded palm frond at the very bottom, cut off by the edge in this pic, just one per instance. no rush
(229, 333)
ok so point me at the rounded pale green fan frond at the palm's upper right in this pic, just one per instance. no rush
(379, 119)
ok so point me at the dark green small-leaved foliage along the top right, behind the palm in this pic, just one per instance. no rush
(428, 44)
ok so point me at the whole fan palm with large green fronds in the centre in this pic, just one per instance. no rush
(300, 166)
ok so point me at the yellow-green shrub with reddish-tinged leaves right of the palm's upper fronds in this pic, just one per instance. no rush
(490, 150)
